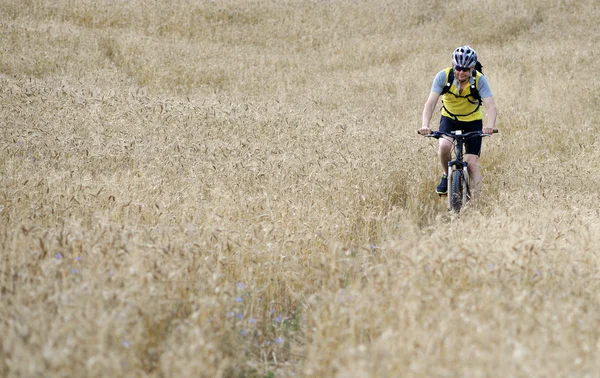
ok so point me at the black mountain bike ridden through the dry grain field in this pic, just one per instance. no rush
(458, 174)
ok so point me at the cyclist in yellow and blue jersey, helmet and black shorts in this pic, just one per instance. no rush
(461, 110)
